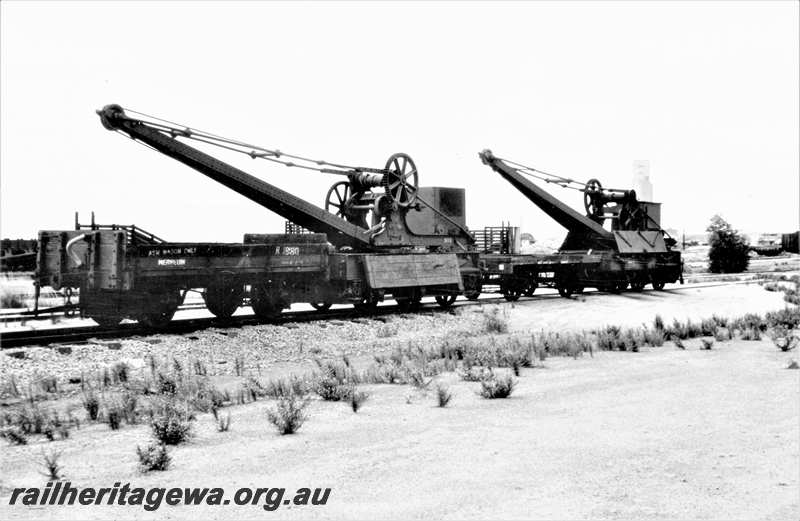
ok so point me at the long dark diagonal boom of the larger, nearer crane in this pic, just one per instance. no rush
(307, 215)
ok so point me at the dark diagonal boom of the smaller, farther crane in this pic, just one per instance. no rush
(558, 211)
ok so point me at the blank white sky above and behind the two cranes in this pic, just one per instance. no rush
(708, 93)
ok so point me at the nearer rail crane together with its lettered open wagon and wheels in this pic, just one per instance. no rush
(379, 236)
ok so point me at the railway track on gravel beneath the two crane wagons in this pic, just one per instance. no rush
(82, 334)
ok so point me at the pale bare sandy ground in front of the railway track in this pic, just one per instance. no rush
(660, 434)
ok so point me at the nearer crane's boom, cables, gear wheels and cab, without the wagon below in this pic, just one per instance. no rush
(401, 217)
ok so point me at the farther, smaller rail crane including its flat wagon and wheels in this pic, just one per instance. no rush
(632, 250)
